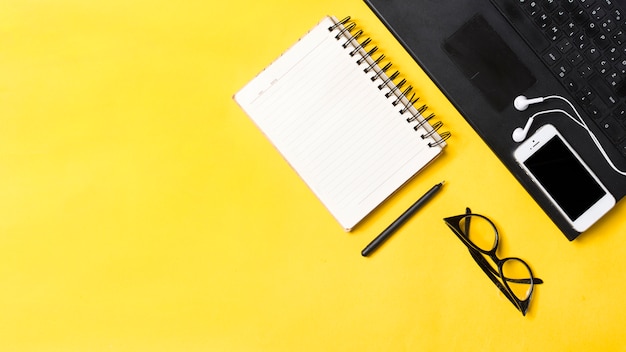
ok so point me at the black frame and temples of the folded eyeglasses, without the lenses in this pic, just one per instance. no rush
(479, 254)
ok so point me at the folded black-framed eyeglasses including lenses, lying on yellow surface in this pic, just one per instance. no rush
(512, 275)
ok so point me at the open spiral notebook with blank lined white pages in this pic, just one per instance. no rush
(340, 119)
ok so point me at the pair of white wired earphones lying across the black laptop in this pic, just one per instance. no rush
(521, 103)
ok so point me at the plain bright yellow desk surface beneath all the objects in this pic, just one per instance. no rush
(142, 210)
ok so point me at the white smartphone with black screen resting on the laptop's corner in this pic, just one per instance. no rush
(564, 177)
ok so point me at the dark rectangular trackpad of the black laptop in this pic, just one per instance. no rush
(488, 62)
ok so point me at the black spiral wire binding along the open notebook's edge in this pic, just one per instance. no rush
(395, 89)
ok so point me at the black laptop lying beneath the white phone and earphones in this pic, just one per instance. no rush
(572, 48)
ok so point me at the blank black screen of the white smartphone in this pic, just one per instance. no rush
(564, 178)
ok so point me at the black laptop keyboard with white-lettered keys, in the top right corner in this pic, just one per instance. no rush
(583, 43)
